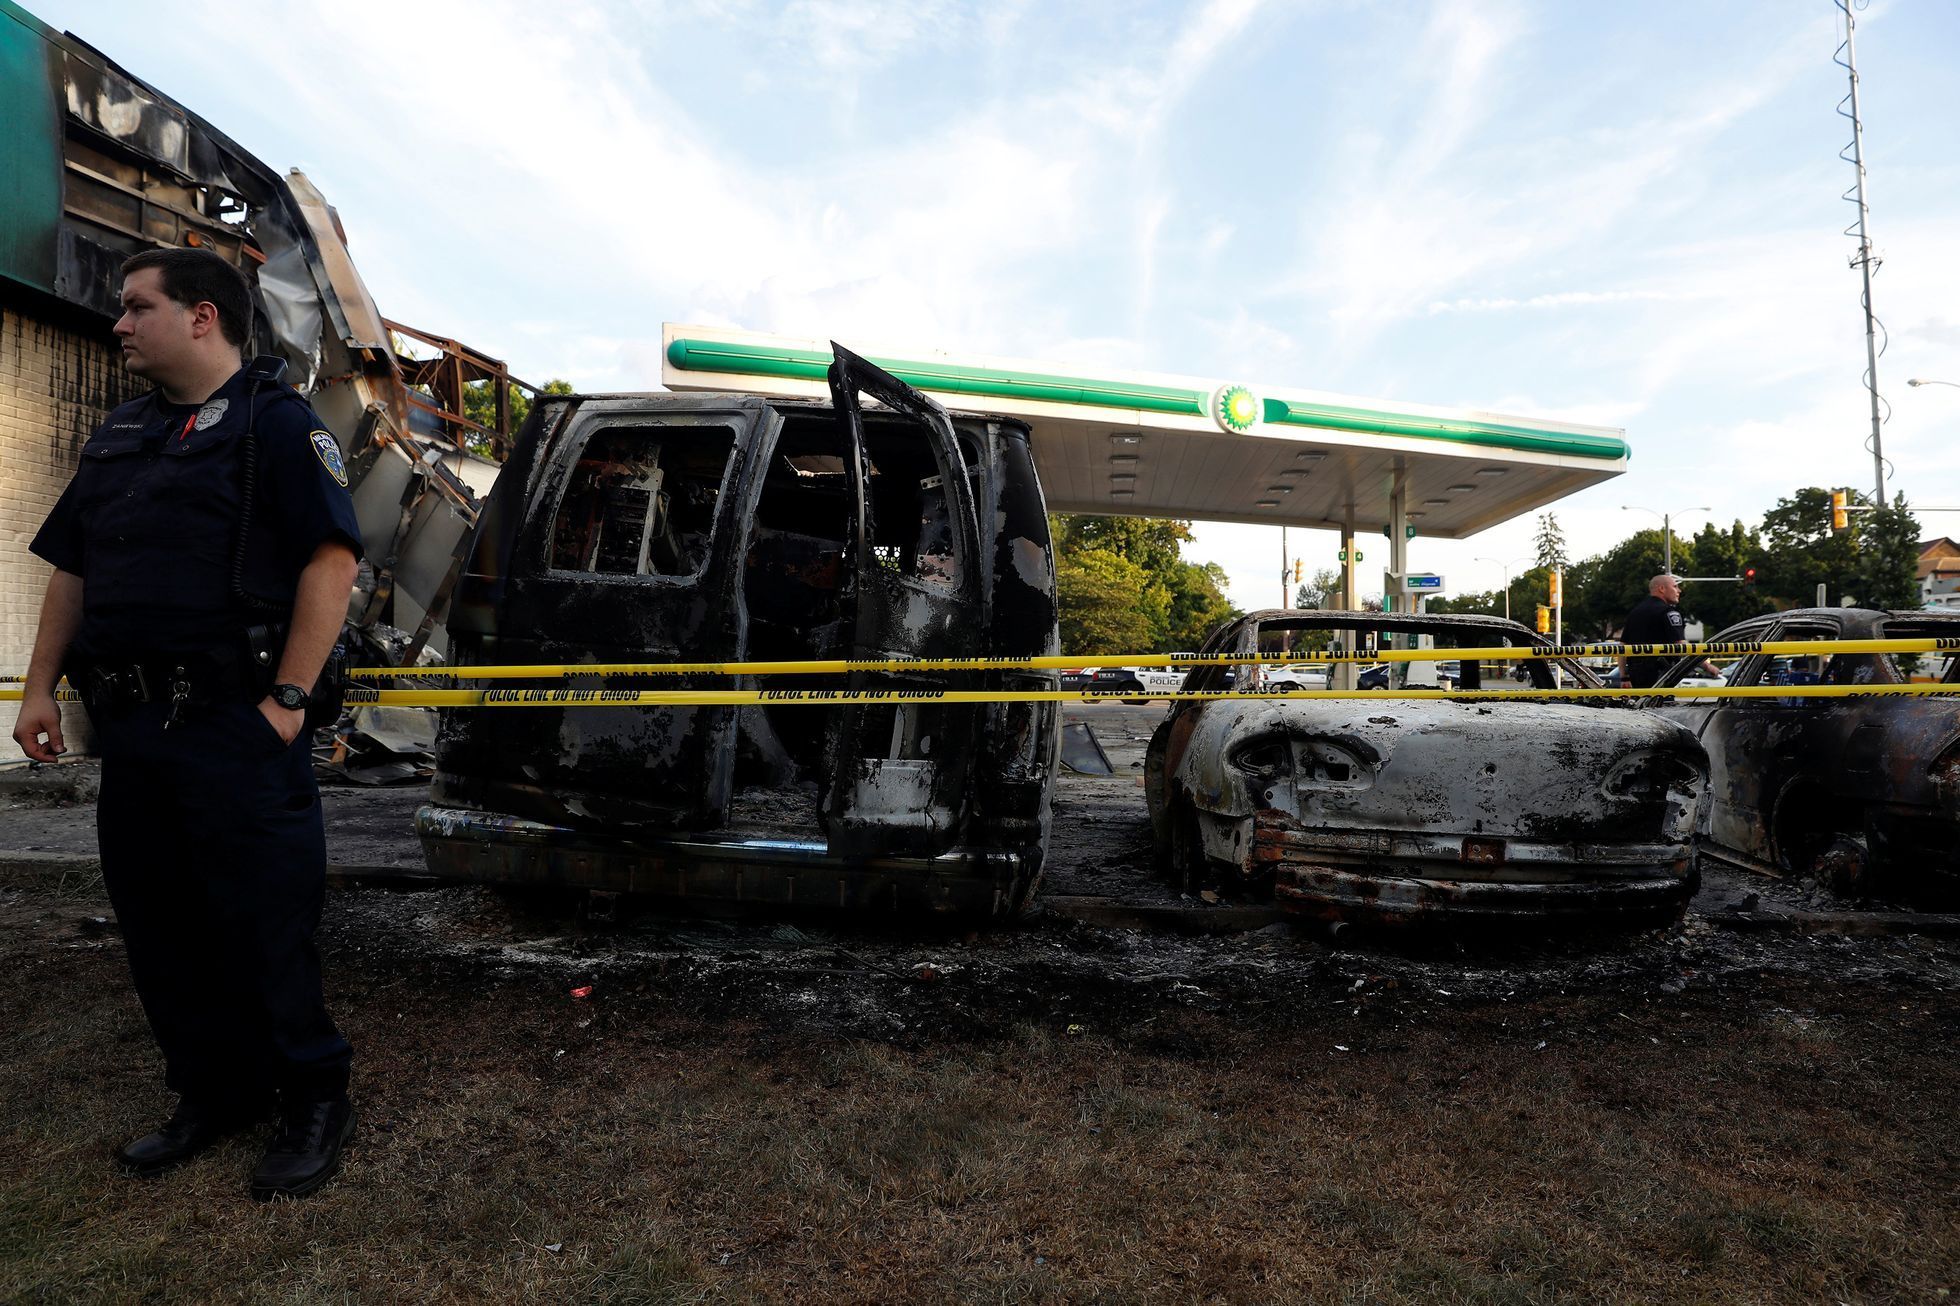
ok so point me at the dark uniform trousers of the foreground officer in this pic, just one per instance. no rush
(215, 856)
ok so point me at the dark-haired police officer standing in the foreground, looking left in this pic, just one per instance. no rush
(203, 562)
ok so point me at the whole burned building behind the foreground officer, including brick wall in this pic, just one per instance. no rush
(99, 166)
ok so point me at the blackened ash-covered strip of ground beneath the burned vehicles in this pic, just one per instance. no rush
(1053, 968)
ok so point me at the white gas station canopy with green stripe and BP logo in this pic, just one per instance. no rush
(1132, 444)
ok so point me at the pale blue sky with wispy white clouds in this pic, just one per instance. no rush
(1618, 215)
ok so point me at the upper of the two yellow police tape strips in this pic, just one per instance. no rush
(1736, 648)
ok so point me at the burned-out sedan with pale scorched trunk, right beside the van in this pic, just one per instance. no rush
(1402, 811)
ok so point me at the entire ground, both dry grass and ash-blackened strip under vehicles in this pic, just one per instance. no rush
(693, 1109)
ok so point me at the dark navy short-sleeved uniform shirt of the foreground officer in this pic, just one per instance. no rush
(150, 521)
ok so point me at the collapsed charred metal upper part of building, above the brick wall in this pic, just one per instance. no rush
(99, 166)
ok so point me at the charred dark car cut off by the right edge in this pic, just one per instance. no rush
(1861, 793)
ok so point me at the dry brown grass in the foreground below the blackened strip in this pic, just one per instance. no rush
(524, 1146)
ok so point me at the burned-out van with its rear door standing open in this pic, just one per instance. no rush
(716, 528)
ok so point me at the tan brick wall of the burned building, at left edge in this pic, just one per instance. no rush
(56, 385)
